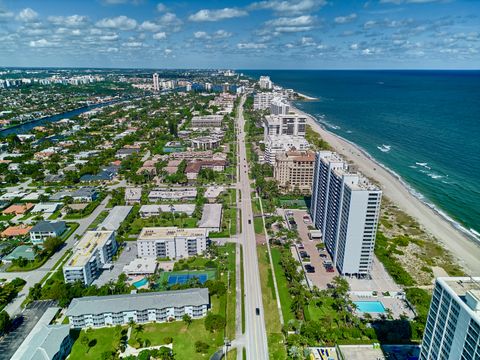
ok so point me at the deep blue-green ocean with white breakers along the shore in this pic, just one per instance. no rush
(422, 125)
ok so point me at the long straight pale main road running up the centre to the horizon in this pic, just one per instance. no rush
(255, 333)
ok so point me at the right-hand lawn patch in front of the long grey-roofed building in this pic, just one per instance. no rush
(184, 338)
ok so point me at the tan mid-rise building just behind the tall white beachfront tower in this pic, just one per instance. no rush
(294, 170)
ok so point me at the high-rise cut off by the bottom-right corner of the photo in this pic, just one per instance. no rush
(452, 331)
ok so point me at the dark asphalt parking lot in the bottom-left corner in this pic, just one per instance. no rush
(23, 324)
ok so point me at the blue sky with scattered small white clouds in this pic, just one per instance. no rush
(269, 34)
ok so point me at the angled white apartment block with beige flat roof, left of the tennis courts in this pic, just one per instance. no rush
(90, 255)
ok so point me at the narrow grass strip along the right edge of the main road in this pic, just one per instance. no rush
(276, 347)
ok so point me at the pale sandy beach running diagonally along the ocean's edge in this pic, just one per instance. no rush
(464, 249)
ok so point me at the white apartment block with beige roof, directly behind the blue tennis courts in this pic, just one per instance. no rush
(171, 242)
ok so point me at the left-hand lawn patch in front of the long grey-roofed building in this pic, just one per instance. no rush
(105, 340)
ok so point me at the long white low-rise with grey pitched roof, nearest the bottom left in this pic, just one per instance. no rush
(100, 311)
